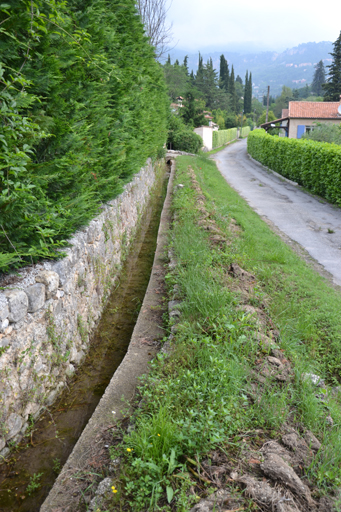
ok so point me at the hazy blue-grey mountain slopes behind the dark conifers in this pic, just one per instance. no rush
(293, 67)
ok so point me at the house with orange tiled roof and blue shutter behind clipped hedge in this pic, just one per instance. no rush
(301, 117)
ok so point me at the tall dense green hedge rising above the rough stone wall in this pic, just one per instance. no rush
(82, 105)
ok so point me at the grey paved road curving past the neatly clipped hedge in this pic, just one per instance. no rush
(301, 216)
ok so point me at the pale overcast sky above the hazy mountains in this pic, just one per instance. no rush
(269, 25)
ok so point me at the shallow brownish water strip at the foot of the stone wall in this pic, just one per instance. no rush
(47, 447)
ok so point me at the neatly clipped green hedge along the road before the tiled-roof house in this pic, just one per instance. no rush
(315, 165)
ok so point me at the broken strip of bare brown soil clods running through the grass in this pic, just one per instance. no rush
(266, 473)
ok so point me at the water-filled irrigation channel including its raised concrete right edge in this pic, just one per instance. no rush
(70, 438)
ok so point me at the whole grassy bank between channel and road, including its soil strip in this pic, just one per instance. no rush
(217, 397)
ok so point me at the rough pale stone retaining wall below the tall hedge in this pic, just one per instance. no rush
(47, 317)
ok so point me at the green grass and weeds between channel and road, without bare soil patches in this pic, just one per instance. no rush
(197, 398)
